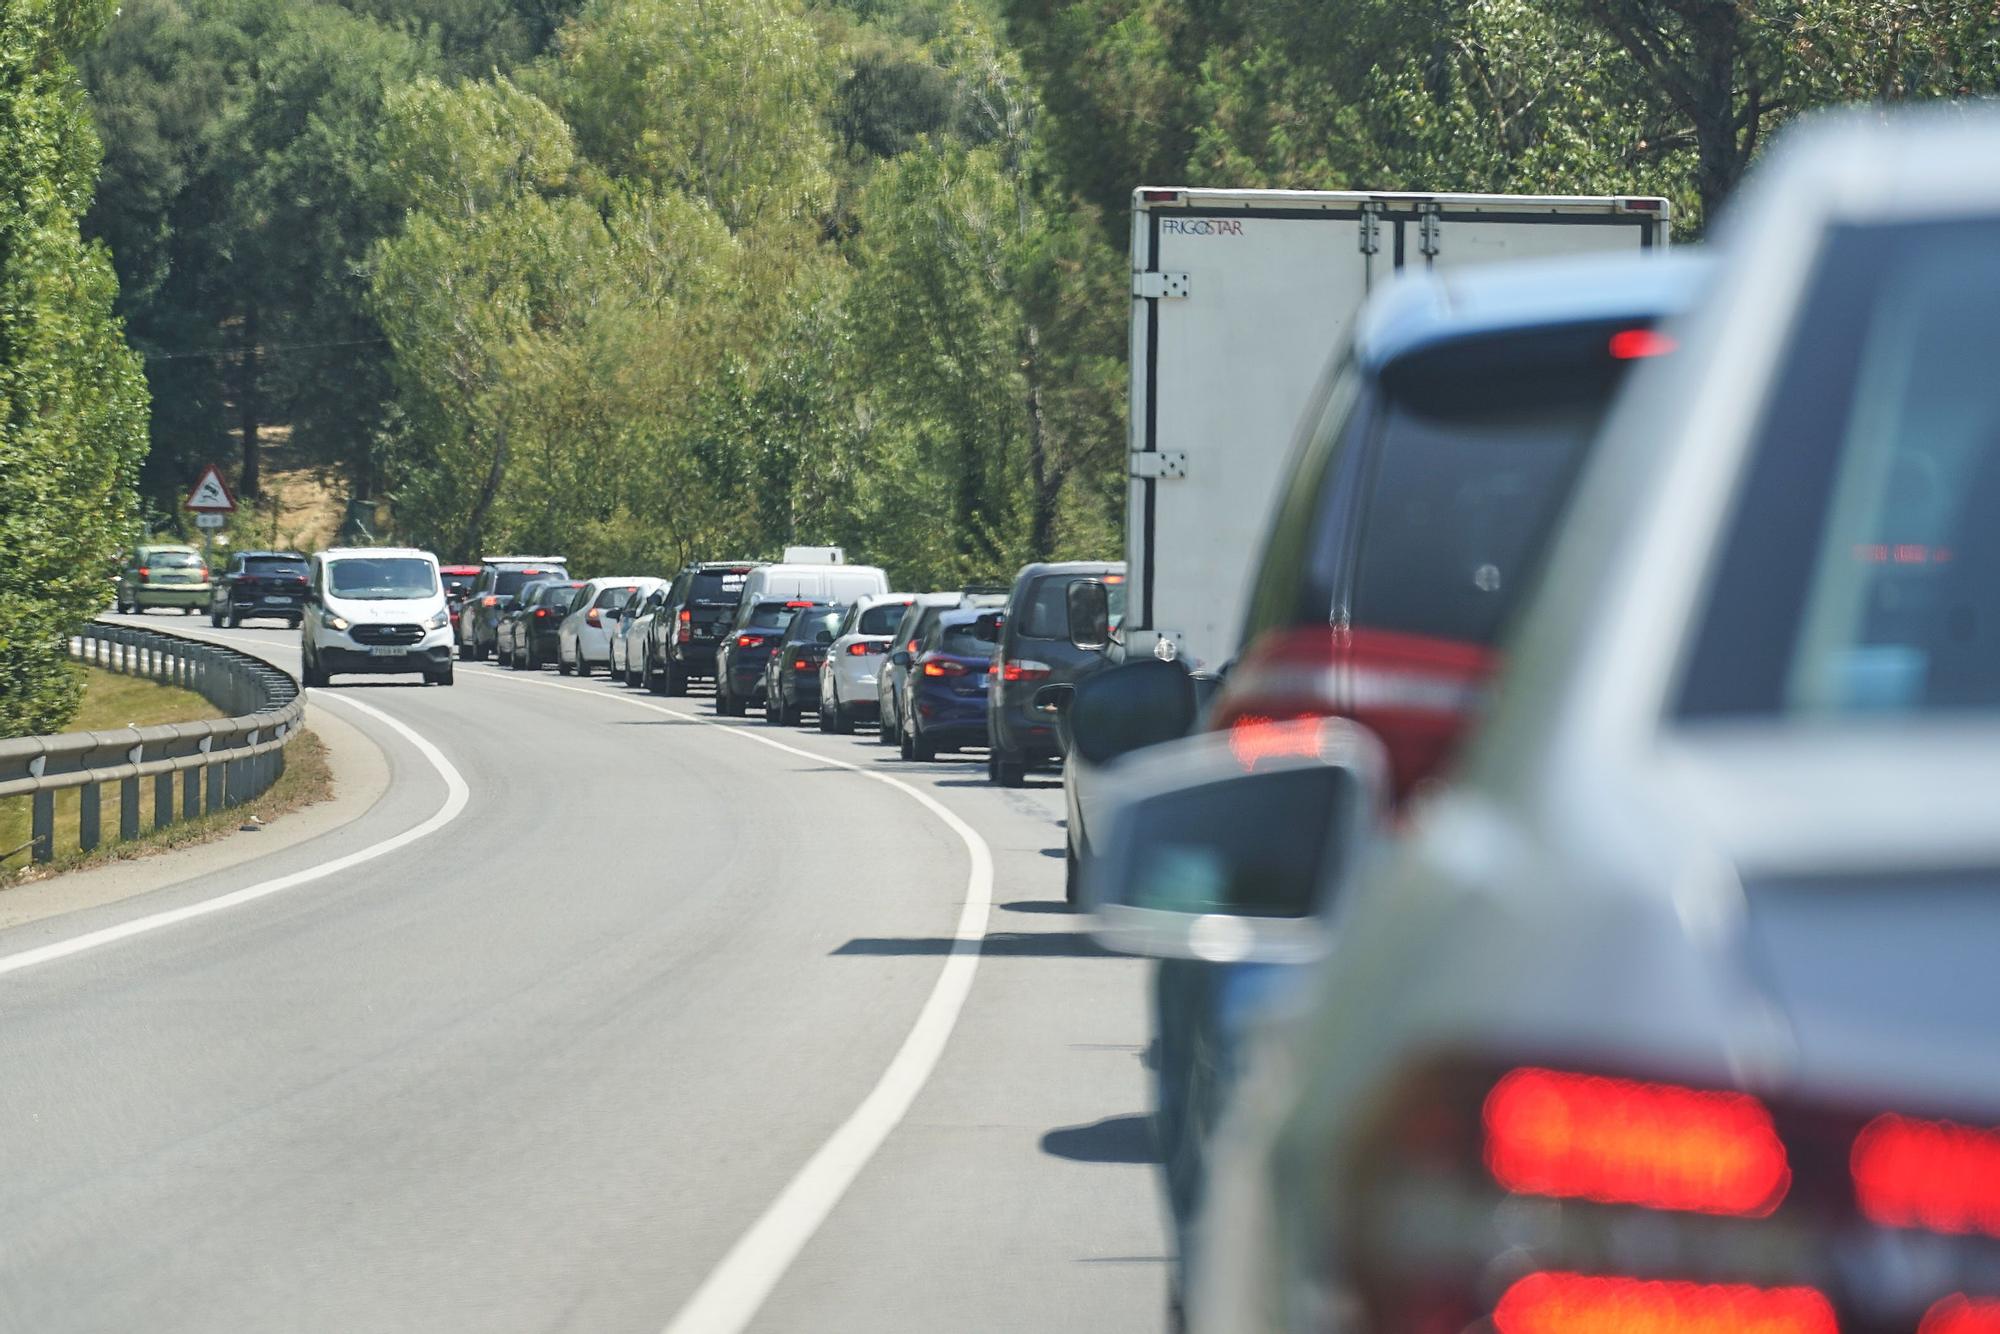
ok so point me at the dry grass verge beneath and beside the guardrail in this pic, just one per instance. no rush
(305, 781)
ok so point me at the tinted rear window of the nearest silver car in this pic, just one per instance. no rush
(1863, 557)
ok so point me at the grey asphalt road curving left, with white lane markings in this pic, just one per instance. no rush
(643, 1025)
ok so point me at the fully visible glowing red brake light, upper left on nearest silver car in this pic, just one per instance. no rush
(1627, 1143)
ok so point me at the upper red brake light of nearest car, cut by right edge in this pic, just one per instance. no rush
(1929, 1175)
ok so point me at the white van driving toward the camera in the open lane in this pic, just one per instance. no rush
(375, 609)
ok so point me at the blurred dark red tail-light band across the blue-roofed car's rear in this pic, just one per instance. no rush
(1415, 693)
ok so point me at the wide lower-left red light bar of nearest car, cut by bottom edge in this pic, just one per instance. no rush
(1585, 1305)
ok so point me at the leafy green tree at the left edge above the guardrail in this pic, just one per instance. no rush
(73, 401)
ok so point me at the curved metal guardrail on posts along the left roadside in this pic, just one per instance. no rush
(241, 755)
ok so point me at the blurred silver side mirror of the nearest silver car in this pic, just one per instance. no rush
(1235, 847)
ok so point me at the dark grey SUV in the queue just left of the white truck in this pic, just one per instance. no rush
(1035, 651)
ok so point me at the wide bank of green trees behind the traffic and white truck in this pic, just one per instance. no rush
(667, 279)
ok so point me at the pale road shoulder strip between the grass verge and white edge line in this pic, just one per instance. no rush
(361, 779)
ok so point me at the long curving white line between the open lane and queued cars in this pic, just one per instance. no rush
(733, 1293)
